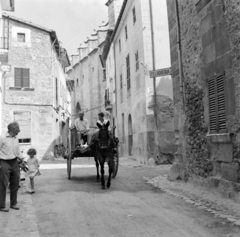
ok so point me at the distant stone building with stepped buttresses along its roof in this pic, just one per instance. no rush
(88, 75)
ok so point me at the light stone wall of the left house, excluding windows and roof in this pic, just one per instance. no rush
(36, 54)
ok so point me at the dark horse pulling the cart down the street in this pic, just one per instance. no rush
(102, 149)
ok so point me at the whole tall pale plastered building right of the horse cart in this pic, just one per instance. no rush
(144, 124)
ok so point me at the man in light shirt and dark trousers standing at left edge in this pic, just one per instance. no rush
(9, 169)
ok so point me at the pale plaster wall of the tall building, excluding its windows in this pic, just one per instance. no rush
(147, 138)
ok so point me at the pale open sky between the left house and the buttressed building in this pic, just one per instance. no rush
(73, 20)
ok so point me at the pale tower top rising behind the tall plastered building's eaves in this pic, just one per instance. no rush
(114, 7)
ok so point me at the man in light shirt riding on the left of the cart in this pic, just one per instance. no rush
(82, 127)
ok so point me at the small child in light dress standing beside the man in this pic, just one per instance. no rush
(33, 168)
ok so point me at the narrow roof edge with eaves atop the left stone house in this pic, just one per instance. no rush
(63, 53)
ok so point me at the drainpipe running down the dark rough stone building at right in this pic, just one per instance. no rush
(181, 78)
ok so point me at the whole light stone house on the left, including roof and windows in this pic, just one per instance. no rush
(35, 91)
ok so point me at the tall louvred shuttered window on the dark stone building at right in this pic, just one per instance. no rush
(217, 104)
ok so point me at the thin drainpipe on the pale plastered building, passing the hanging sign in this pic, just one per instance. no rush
(153, 61)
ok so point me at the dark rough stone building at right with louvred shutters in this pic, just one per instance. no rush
(204, 40)
